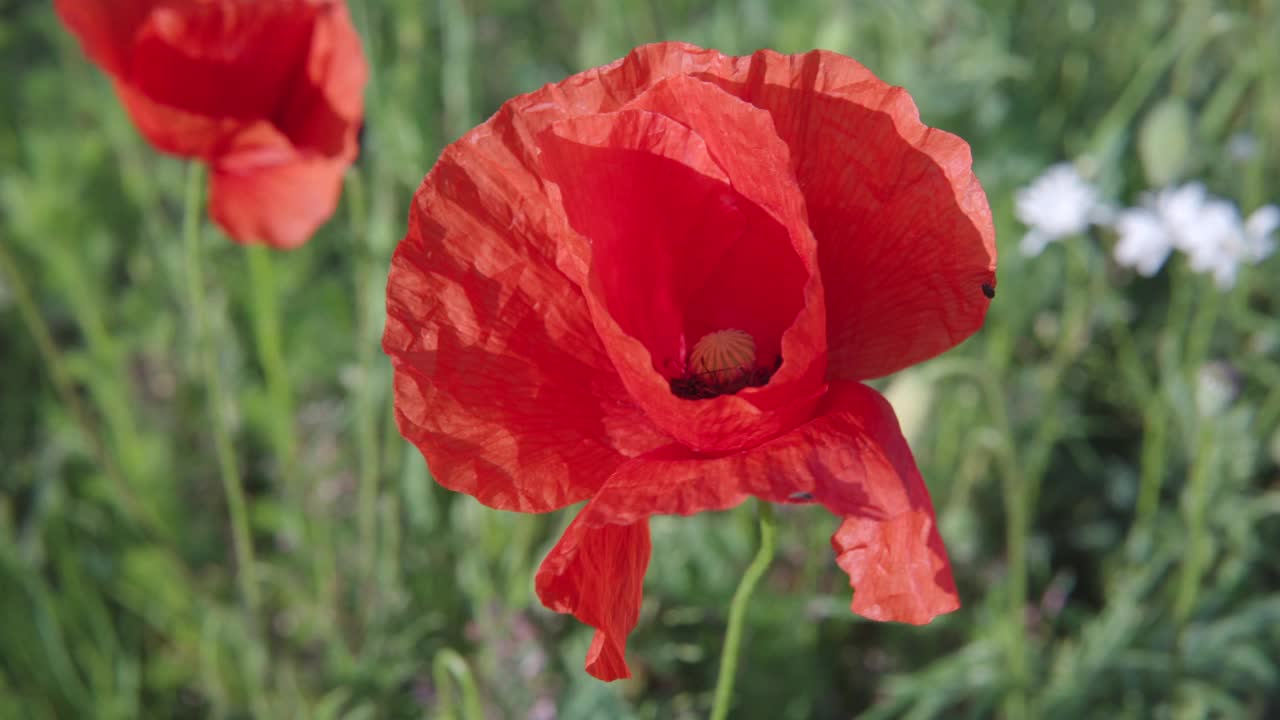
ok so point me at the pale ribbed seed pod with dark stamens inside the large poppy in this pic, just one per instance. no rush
(721, 363)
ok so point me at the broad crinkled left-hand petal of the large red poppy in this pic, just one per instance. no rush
(501, 380)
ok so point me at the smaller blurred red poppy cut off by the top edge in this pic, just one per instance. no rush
(268, 93)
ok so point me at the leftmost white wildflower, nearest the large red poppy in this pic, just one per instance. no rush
(1055, 206)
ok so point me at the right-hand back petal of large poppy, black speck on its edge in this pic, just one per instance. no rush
(906, 238)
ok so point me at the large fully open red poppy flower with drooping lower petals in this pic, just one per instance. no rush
(659, 285)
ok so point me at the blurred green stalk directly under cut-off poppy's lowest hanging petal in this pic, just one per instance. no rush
(266, 312)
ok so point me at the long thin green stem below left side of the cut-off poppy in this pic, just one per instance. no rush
(216, 394)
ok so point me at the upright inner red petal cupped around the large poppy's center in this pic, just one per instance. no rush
(693, 229)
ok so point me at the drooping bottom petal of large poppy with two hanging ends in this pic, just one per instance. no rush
(852, 458)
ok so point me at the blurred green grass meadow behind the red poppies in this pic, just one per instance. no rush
(1104, 454)
